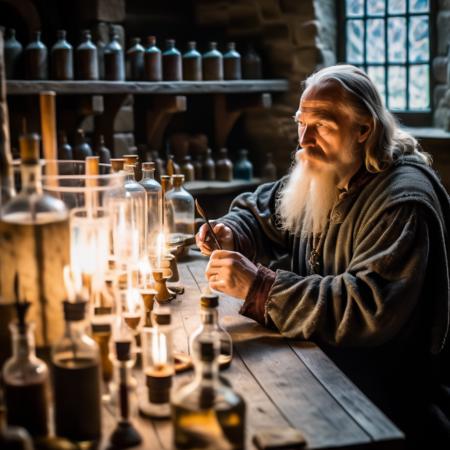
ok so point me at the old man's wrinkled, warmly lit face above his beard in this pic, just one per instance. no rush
(329, 137)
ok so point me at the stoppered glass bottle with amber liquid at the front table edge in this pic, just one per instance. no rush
(207, 413)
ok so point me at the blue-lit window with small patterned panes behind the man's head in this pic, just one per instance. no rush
(390, 40)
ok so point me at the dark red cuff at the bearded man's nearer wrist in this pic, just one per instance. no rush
(255, 303)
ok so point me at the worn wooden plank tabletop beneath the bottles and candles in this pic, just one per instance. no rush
(284, 382)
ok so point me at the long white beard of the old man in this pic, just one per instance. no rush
(305, 201)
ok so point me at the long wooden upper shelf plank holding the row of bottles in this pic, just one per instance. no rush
(26, 87)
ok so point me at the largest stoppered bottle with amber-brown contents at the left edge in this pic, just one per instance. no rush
(34, 243)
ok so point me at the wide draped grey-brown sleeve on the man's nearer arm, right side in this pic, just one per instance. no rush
(372, 300)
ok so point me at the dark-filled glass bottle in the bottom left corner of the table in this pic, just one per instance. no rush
(26, 382)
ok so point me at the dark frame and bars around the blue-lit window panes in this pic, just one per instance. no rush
(411, 118)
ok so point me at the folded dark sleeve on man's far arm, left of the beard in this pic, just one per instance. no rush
(253, 221)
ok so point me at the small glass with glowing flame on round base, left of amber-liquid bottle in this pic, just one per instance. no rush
(158, 365)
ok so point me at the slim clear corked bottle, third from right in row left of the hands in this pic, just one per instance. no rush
(154, 206)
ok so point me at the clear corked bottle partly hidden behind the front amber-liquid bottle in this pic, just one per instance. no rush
(210, 328)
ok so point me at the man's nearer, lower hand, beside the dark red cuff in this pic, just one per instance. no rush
(230, 273)
